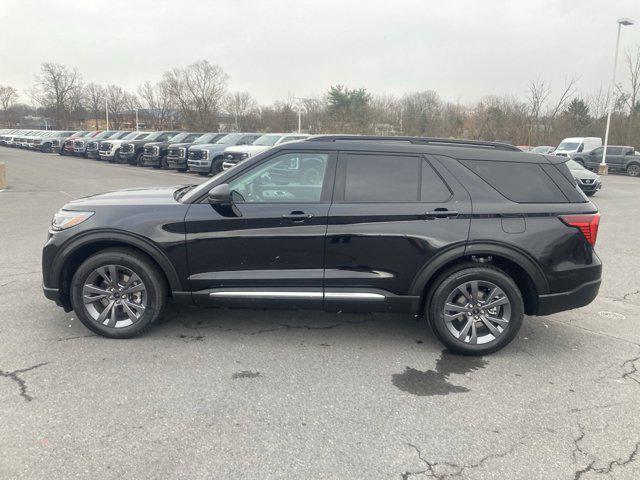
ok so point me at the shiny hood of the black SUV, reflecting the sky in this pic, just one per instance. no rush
(130, 196)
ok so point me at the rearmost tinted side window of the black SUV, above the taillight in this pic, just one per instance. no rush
(519, 182)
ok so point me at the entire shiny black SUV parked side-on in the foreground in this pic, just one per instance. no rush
(472, 235)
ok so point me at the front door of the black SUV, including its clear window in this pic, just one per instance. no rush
(269, 247)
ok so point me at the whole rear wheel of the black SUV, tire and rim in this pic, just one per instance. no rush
(475, 309)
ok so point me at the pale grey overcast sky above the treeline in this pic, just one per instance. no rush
(464, 49)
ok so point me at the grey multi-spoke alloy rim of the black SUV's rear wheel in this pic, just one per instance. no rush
(477, 312)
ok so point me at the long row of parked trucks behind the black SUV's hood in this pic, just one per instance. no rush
(201, 152)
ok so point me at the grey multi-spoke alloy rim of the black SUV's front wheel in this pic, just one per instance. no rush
(114, 296)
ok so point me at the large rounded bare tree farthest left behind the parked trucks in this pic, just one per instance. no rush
(58, 88)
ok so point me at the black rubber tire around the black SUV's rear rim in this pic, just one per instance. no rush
(446, 285)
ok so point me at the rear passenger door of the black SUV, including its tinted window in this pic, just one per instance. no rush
(391, 214)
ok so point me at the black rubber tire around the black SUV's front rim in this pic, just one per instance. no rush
(141, 265)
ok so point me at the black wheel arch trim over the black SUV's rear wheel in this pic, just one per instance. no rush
(524, 270)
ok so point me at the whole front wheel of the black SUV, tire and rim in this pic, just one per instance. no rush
(118, 293)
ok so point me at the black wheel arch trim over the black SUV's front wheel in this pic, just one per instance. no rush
(79, 249)
